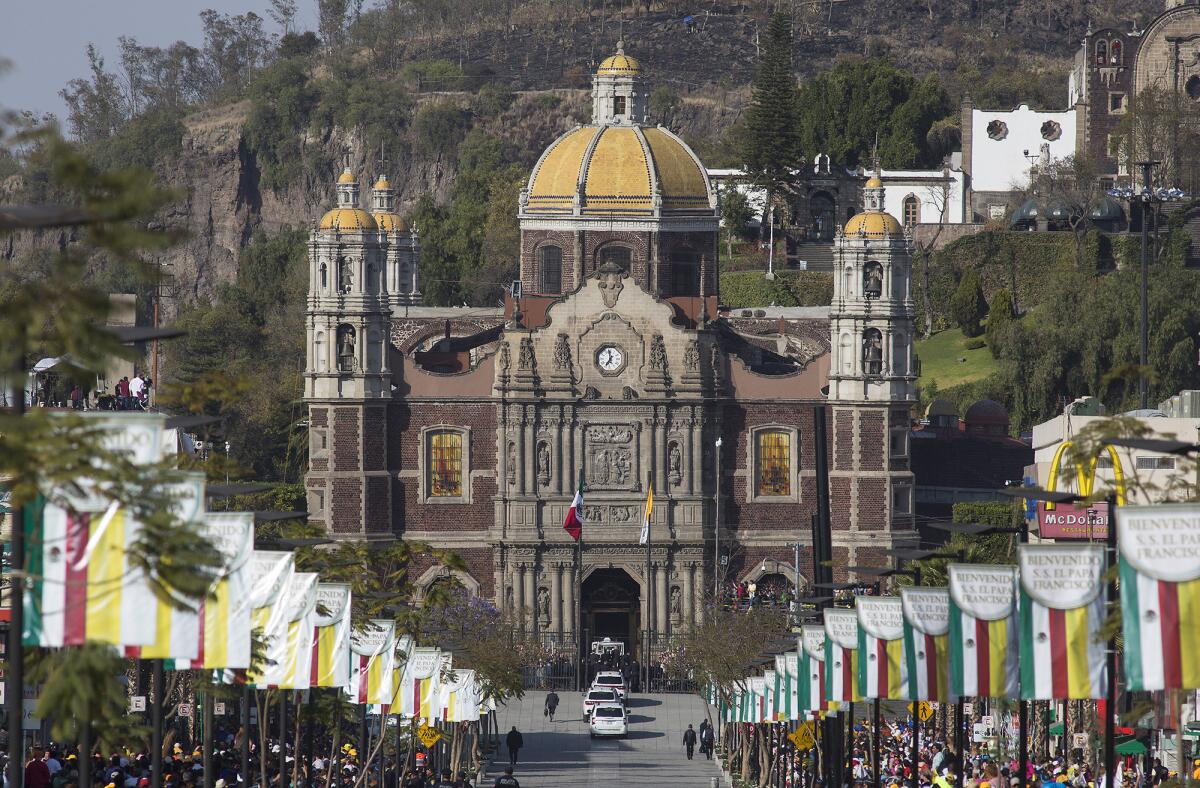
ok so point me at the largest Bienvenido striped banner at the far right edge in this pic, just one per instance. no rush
(1161, 595)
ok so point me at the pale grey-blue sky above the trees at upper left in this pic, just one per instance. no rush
(46, 41)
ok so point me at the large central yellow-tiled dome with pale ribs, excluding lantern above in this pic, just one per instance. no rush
(619, 170)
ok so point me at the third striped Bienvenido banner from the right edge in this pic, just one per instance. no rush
(983, 631)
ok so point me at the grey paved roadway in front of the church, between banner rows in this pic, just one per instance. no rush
(562, 755)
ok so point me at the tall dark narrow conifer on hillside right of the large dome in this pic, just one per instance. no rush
(771, 147)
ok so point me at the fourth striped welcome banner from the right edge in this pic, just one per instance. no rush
(927, 623)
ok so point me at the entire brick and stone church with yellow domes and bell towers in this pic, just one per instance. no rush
(614, 366)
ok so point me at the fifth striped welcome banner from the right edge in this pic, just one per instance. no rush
(883, 671)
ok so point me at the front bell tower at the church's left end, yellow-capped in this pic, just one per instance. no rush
(347, 372)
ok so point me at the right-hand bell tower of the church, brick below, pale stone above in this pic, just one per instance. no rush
(872, 382)
